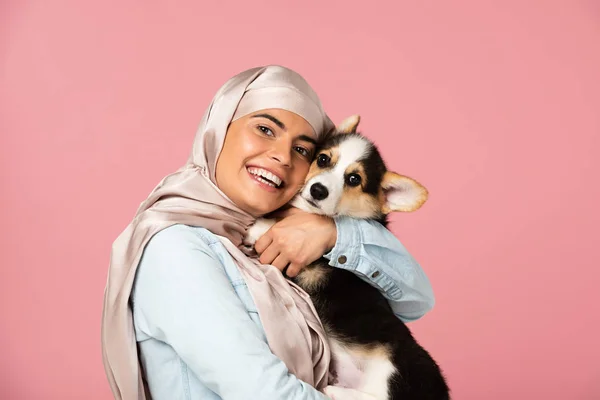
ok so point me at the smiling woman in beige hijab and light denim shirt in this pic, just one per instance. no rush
(204, 320)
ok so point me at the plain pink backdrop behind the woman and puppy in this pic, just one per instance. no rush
(494, 106)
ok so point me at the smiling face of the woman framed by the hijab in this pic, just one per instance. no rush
(264, 160)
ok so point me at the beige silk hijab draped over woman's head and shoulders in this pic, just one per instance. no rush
(190, 196)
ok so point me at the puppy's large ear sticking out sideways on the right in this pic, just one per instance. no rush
(401, 193)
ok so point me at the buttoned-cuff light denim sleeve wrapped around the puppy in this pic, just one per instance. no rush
(375, 255)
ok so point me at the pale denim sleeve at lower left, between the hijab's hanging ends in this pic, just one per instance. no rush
(184, 298)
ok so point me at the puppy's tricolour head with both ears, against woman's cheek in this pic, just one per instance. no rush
(348, 177)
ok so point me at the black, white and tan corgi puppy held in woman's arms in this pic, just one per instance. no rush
(374, 355)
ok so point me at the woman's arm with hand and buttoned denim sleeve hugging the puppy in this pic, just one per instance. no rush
(364, 247)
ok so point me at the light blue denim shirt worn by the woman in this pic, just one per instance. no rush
(198, 332)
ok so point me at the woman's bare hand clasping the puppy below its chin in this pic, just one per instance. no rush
(298, 239)
